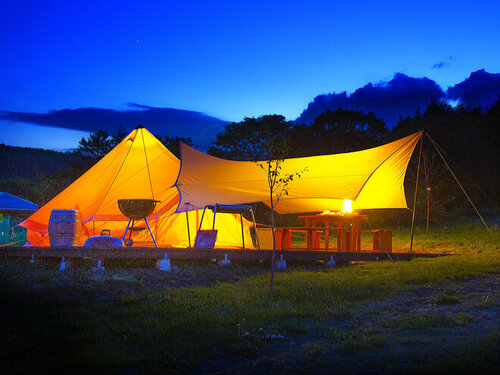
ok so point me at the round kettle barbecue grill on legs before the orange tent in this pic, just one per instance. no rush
(137, 209)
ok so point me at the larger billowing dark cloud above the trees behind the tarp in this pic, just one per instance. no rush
(400, 97)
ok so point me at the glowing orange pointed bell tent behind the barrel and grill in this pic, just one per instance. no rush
(139, 167)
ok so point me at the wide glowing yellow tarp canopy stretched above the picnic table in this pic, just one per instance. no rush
(371, 178)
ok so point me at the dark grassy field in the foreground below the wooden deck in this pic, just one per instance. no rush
(427, 315)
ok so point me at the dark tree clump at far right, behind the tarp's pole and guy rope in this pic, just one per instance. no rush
(468, 138)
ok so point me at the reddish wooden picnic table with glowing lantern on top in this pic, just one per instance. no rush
(354, 219)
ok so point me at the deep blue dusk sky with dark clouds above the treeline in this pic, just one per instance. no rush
(228, 60)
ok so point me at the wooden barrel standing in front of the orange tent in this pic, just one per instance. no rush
(64, 228)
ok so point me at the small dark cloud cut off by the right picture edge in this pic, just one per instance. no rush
(481, 88)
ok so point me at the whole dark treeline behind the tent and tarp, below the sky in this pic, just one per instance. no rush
(467, 136)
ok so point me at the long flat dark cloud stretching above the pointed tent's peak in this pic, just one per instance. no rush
(167, 121)
